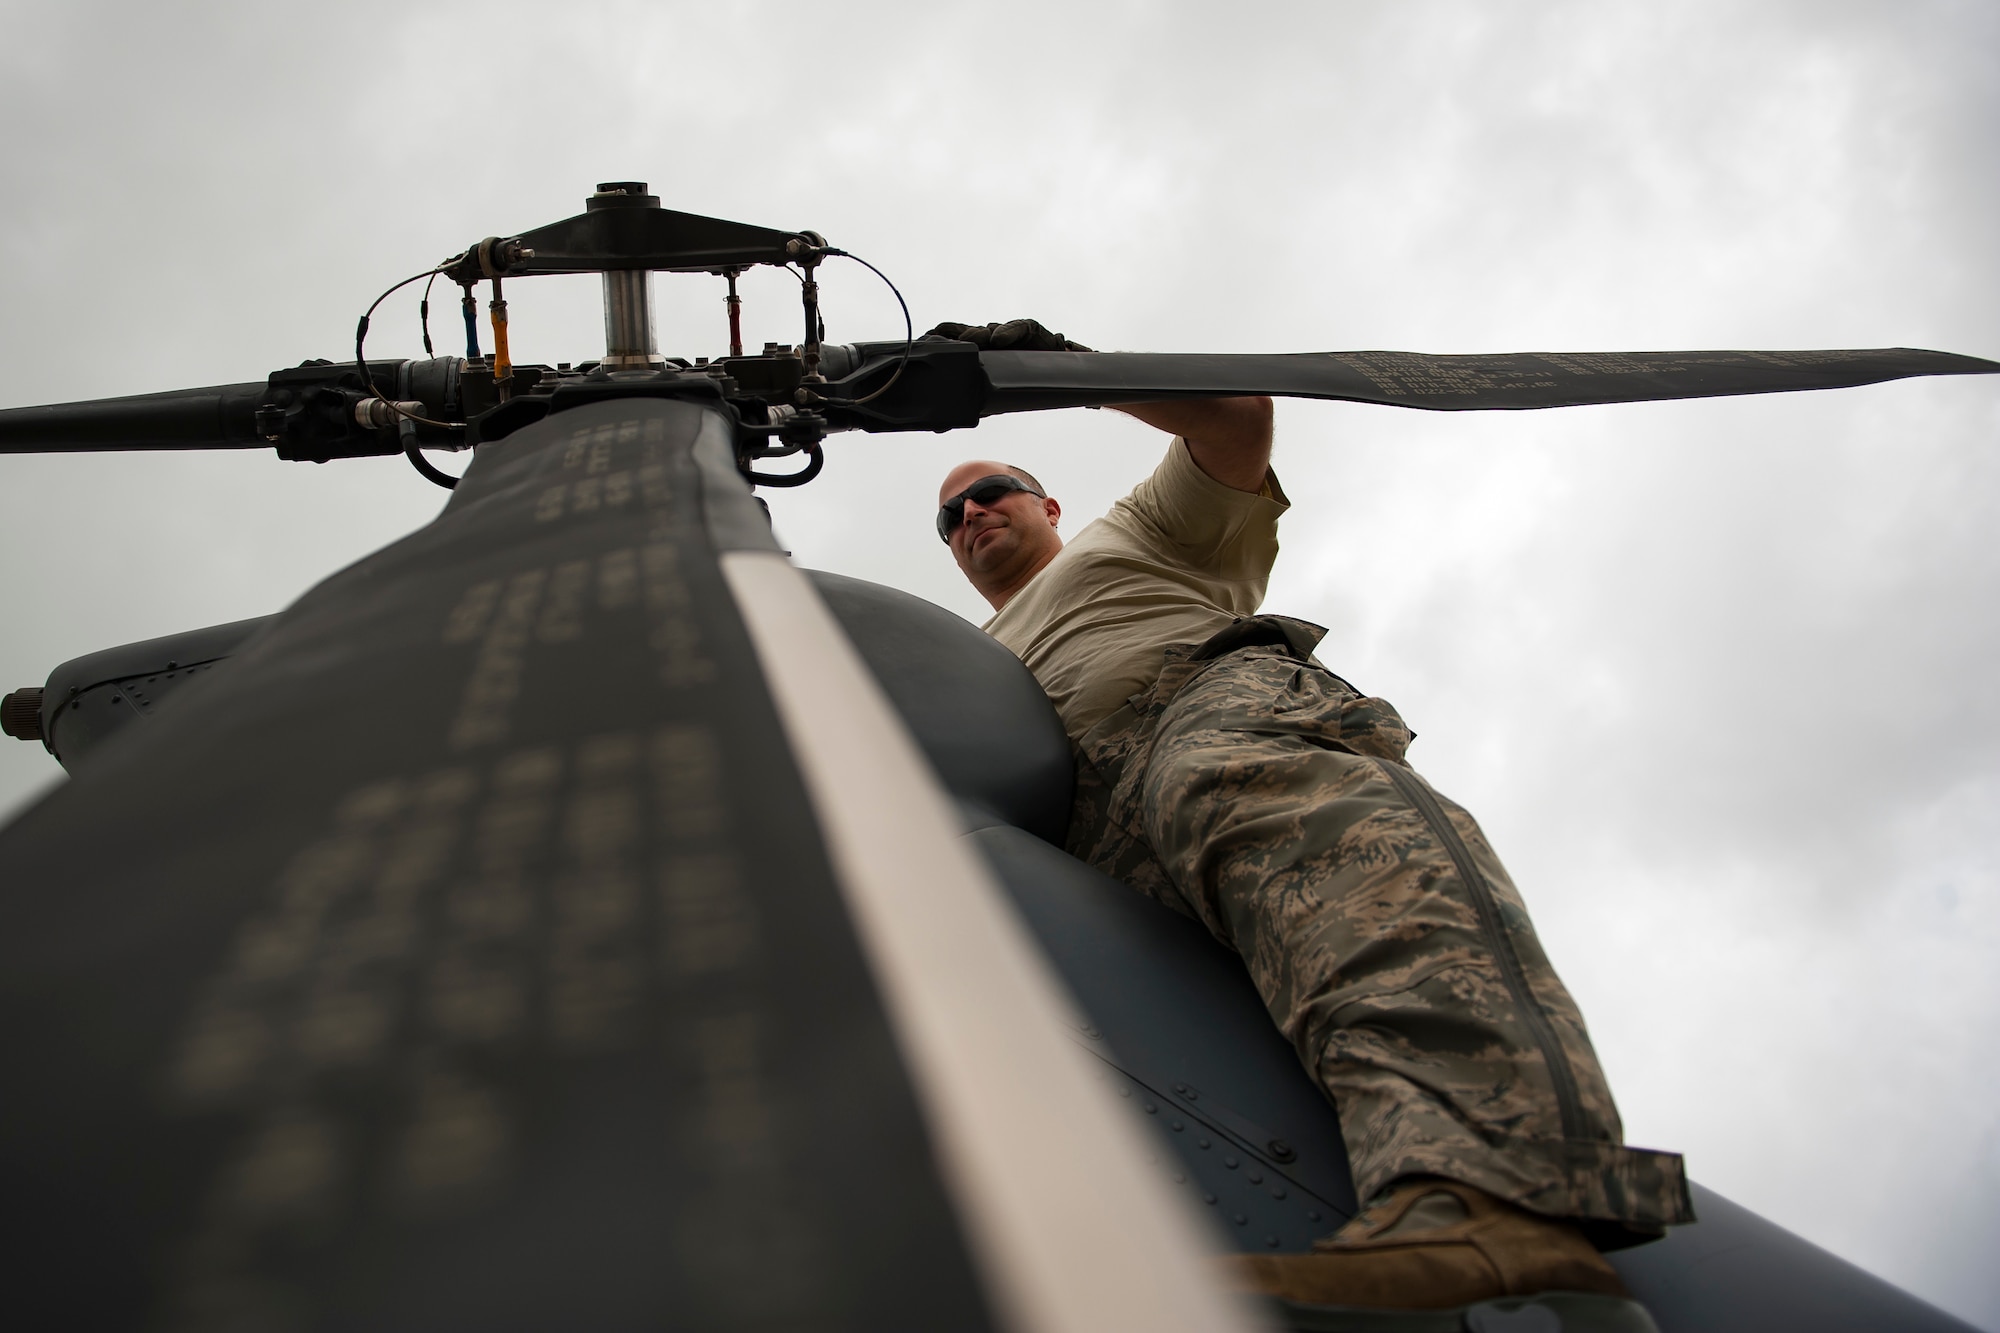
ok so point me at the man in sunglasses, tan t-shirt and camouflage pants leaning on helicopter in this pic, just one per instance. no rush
(1225, 772)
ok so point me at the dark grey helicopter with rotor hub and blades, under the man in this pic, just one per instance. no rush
(645, 942)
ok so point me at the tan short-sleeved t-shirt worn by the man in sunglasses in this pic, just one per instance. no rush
(1175, 561)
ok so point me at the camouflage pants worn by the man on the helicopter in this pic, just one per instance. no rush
(1263, 796)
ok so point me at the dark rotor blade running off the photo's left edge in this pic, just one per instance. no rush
(215, 417)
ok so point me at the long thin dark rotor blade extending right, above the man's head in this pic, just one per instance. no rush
(1443, 383)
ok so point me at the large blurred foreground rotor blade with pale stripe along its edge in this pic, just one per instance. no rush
(553, 882)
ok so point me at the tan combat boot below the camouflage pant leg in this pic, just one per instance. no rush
(1433, 1246)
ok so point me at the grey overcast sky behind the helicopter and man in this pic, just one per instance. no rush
(1717, 678)
